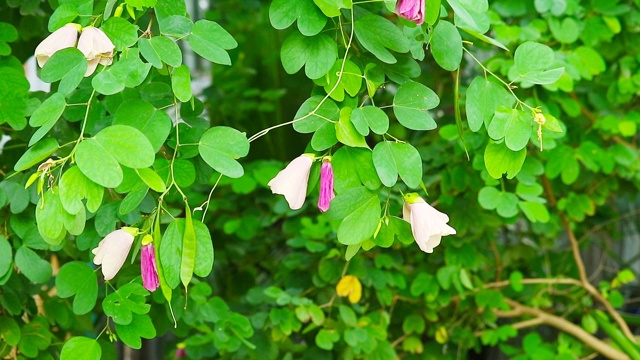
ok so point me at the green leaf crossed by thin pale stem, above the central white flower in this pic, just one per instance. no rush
(313, 120)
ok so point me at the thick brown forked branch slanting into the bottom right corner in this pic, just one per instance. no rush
(559, 323)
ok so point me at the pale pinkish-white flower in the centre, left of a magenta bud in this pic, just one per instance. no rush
(292, 181)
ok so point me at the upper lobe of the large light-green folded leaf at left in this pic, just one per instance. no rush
(127, 145)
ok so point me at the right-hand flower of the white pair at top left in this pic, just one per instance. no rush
(96, 47)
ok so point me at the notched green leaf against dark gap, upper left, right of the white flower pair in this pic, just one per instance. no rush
(210, 40)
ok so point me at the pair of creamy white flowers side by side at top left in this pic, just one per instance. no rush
(93, 43)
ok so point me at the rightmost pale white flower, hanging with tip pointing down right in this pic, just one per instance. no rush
(428, 225)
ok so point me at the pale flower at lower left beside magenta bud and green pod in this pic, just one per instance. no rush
(112, 251)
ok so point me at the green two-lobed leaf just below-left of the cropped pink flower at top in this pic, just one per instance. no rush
(378, 34)
